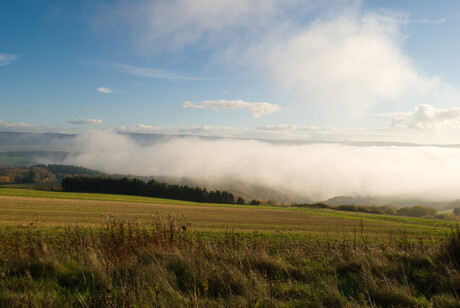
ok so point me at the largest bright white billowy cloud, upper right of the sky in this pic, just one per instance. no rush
(353, 60)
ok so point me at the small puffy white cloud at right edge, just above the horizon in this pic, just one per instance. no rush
(425, 118)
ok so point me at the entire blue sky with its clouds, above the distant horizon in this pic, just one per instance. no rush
(338, 70)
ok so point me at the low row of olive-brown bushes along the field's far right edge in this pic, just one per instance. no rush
(410, 211)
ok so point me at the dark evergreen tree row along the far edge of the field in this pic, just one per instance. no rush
(152, 188)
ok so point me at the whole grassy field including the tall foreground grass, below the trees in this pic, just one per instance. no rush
(95, 250)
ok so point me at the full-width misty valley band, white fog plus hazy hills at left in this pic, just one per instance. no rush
(285, 171)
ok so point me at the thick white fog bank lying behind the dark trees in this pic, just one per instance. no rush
(313, 171)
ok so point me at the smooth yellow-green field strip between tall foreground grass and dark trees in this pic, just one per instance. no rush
(44, 209)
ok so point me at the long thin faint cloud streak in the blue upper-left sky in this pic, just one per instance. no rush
(155, 73)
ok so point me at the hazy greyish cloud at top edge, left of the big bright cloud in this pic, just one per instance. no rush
(174, 24)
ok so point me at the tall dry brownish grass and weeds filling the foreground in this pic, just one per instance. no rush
(165, 264)
